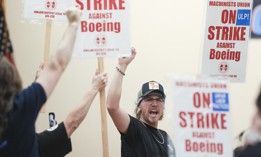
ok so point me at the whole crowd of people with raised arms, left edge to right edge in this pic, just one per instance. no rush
(140, 135)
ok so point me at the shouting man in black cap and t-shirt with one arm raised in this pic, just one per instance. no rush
(140, 136)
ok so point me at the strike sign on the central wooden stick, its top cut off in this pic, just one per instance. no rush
(104, 29)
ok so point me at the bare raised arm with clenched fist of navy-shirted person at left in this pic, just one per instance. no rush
(59, 61)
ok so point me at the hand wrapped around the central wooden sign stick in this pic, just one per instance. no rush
(99, 81)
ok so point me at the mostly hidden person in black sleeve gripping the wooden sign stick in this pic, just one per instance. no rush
(56, 141)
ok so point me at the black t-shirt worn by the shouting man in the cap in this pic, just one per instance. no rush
(142, 140)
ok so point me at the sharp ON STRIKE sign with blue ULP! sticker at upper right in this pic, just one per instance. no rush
(226, 39)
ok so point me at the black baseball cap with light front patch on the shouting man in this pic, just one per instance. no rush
(148, 88)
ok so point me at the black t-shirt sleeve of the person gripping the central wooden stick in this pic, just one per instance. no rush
(54, 142)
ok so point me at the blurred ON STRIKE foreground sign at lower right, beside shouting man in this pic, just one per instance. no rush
(202, 120)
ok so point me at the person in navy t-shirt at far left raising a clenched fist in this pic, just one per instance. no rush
(19, 107)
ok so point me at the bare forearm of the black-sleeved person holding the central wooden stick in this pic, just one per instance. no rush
(75, 118)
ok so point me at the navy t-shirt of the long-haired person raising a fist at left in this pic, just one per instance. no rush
(19, 140)
